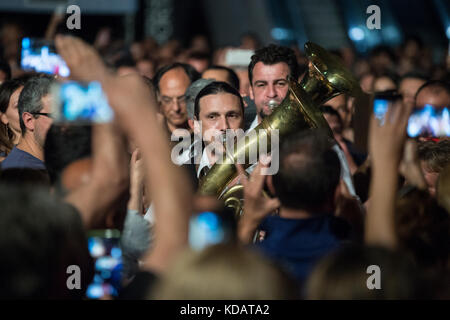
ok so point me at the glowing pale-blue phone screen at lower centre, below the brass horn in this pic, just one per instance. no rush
(210, 228)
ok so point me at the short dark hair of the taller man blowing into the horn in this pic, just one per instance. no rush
(273, 54)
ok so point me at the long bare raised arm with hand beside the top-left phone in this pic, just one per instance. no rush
(135, 108)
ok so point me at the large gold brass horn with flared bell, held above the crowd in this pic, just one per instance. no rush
(326, 78)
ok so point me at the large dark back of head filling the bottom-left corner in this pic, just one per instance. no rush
(39, 239)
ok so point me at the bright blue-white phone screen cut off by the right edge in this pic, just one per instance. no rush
(429, 121)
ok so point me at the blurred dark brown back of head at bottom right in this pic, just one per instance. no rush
(345, 275)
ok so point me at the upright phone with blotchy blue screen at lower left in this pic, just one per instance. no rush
(104, 247)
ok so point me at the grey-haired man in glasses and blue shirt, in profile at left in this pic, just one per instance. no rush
(35, 119)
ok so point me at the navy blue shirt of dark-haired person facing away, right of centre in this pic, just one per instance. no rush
(298, 244)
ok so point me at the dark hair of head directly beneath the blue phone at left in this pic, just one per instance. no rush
(65, 144)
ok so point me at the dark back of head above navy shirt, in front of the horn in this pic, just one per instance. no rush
(309, 171)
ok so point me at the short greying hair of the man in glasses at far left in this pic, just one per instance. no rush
(30, 97)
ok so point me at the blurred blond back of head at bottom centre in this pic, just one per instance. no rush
(224, 272)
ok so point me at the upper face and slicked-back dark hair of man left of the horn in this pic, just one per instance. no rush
(218, 107)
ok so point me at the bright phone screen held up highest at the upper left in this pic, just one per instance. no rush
(40, 55)
